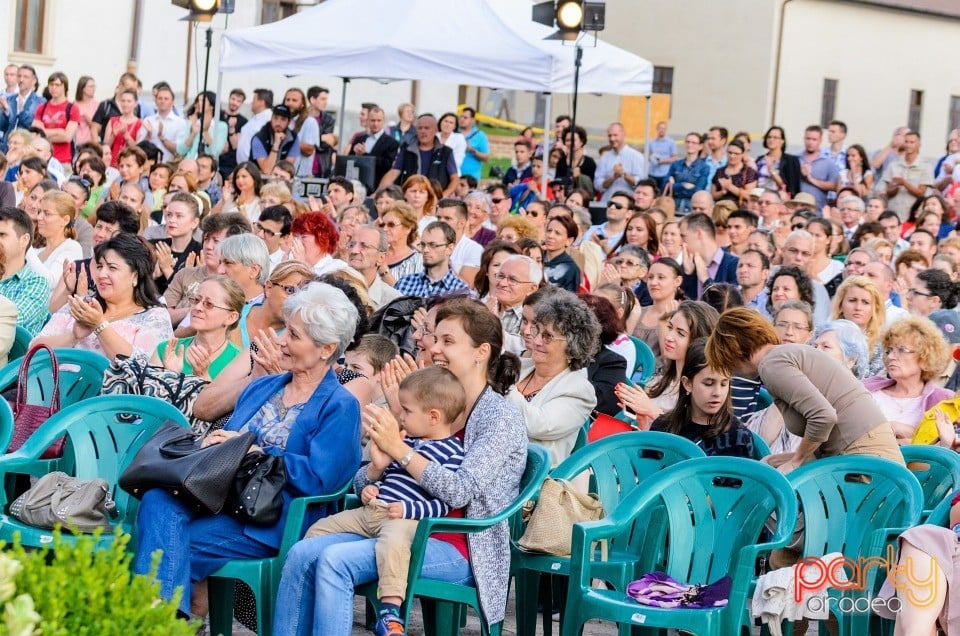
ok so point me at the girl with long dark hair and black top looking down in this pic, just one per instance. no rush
(702, 414)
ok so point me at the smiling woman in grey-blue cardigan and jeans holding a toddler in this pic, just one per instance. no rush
(316, 586)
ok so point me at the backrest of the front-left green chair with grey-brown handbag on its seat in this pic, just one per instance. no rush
(103, 438)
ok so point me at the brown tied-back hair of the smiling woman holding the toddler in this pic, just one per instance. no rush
(503, 369)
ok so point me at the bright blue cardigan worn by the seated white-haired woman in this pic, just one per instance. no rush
(322, 451)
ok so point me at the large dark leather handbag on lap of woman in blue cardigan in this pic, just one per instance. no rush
(173, 459)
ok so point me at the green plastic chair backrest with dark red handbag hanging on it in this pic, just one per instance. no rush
(81, 376)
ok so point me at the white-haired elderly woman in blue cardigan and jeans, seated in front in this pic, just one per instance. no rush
(303, 415)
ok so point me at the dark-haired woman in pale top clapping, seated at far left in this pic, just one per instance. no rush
(124, 315)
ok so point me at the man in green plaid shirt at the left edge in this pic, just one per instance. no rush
(28, 289)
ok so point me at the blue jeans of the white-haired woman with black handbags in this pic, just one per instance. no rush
(194, 545)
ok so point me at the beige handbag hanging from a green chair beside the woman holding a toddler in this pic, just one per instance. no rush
(560, 505)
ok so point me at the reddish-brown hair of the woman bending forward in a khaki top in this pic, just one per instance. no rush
(739, 334)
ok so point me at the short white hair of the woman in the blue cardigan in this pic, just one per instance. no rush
(329, 315)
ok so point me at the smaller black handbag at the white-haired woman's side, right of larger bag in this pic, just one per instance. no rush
(257, 496)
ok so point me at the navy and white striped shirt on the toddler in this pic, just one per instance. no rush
(397, 485)
